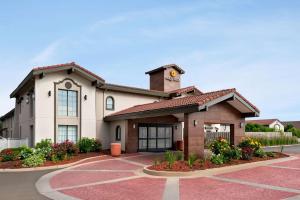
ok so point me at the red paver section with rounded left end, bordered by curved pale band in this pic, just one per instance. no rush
(74, 178)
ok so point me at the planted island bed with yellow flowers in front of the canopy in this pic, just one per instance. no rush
(249, 150)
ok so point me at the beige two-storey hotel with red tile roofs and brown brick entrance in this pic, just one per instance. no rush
(67, 101)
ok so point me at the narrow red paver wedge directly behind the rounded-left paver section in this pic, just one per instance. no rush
(109, 165)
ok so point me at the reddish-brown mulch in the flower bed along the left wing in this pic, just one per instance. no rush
(18, 164)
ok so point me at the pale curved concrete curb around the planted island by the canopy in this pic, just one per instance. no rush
(216, 171)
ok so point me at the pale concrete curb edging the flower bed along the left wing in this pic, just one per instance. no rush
(49, 167)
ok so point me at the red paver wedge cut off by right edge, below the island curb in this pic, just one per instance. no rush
(268, 175)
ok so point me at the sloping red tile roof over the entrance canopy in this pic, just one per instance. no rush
(197, 100)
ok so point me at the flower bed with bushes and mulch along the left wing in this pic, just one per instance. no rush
(46, 153)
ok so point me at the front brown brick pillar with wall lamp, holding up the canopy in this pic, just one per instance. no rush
(193, 135)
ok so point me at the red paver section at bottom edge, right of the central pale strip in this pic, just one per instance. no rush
(209, 189)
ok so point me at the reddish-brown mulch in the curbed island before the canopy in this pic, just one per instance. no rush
(182, 166)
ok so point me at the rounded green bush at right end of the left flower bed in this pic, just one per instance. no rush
(86, 145)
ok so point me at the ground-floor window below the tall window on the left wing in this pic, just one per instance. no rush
(67, 132)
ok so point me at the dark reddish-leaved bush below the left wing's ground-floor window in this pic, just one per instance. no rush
(63, 151)
